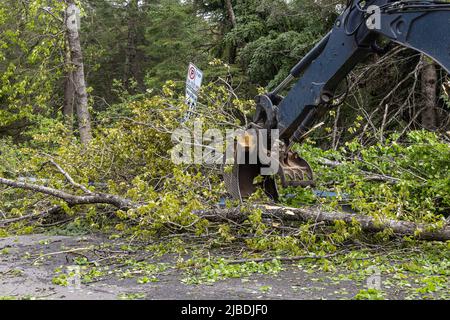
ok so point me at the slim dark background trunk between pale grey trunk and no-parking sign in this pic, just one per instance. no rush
(131, 50)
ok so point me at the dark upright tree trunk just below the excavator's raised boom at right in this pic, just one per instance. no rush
(429, 93)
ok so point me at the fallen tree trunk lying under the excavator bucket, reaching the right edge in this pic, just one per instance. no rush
(367, 223)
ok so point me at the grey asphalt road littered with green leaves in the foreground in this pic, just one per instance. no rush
(23, 275)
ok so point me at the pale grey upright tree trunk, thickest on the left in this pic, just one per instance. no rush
(76, 57)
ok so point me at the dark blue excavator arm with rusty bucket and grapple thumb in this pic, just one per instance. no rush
(420, 25)
